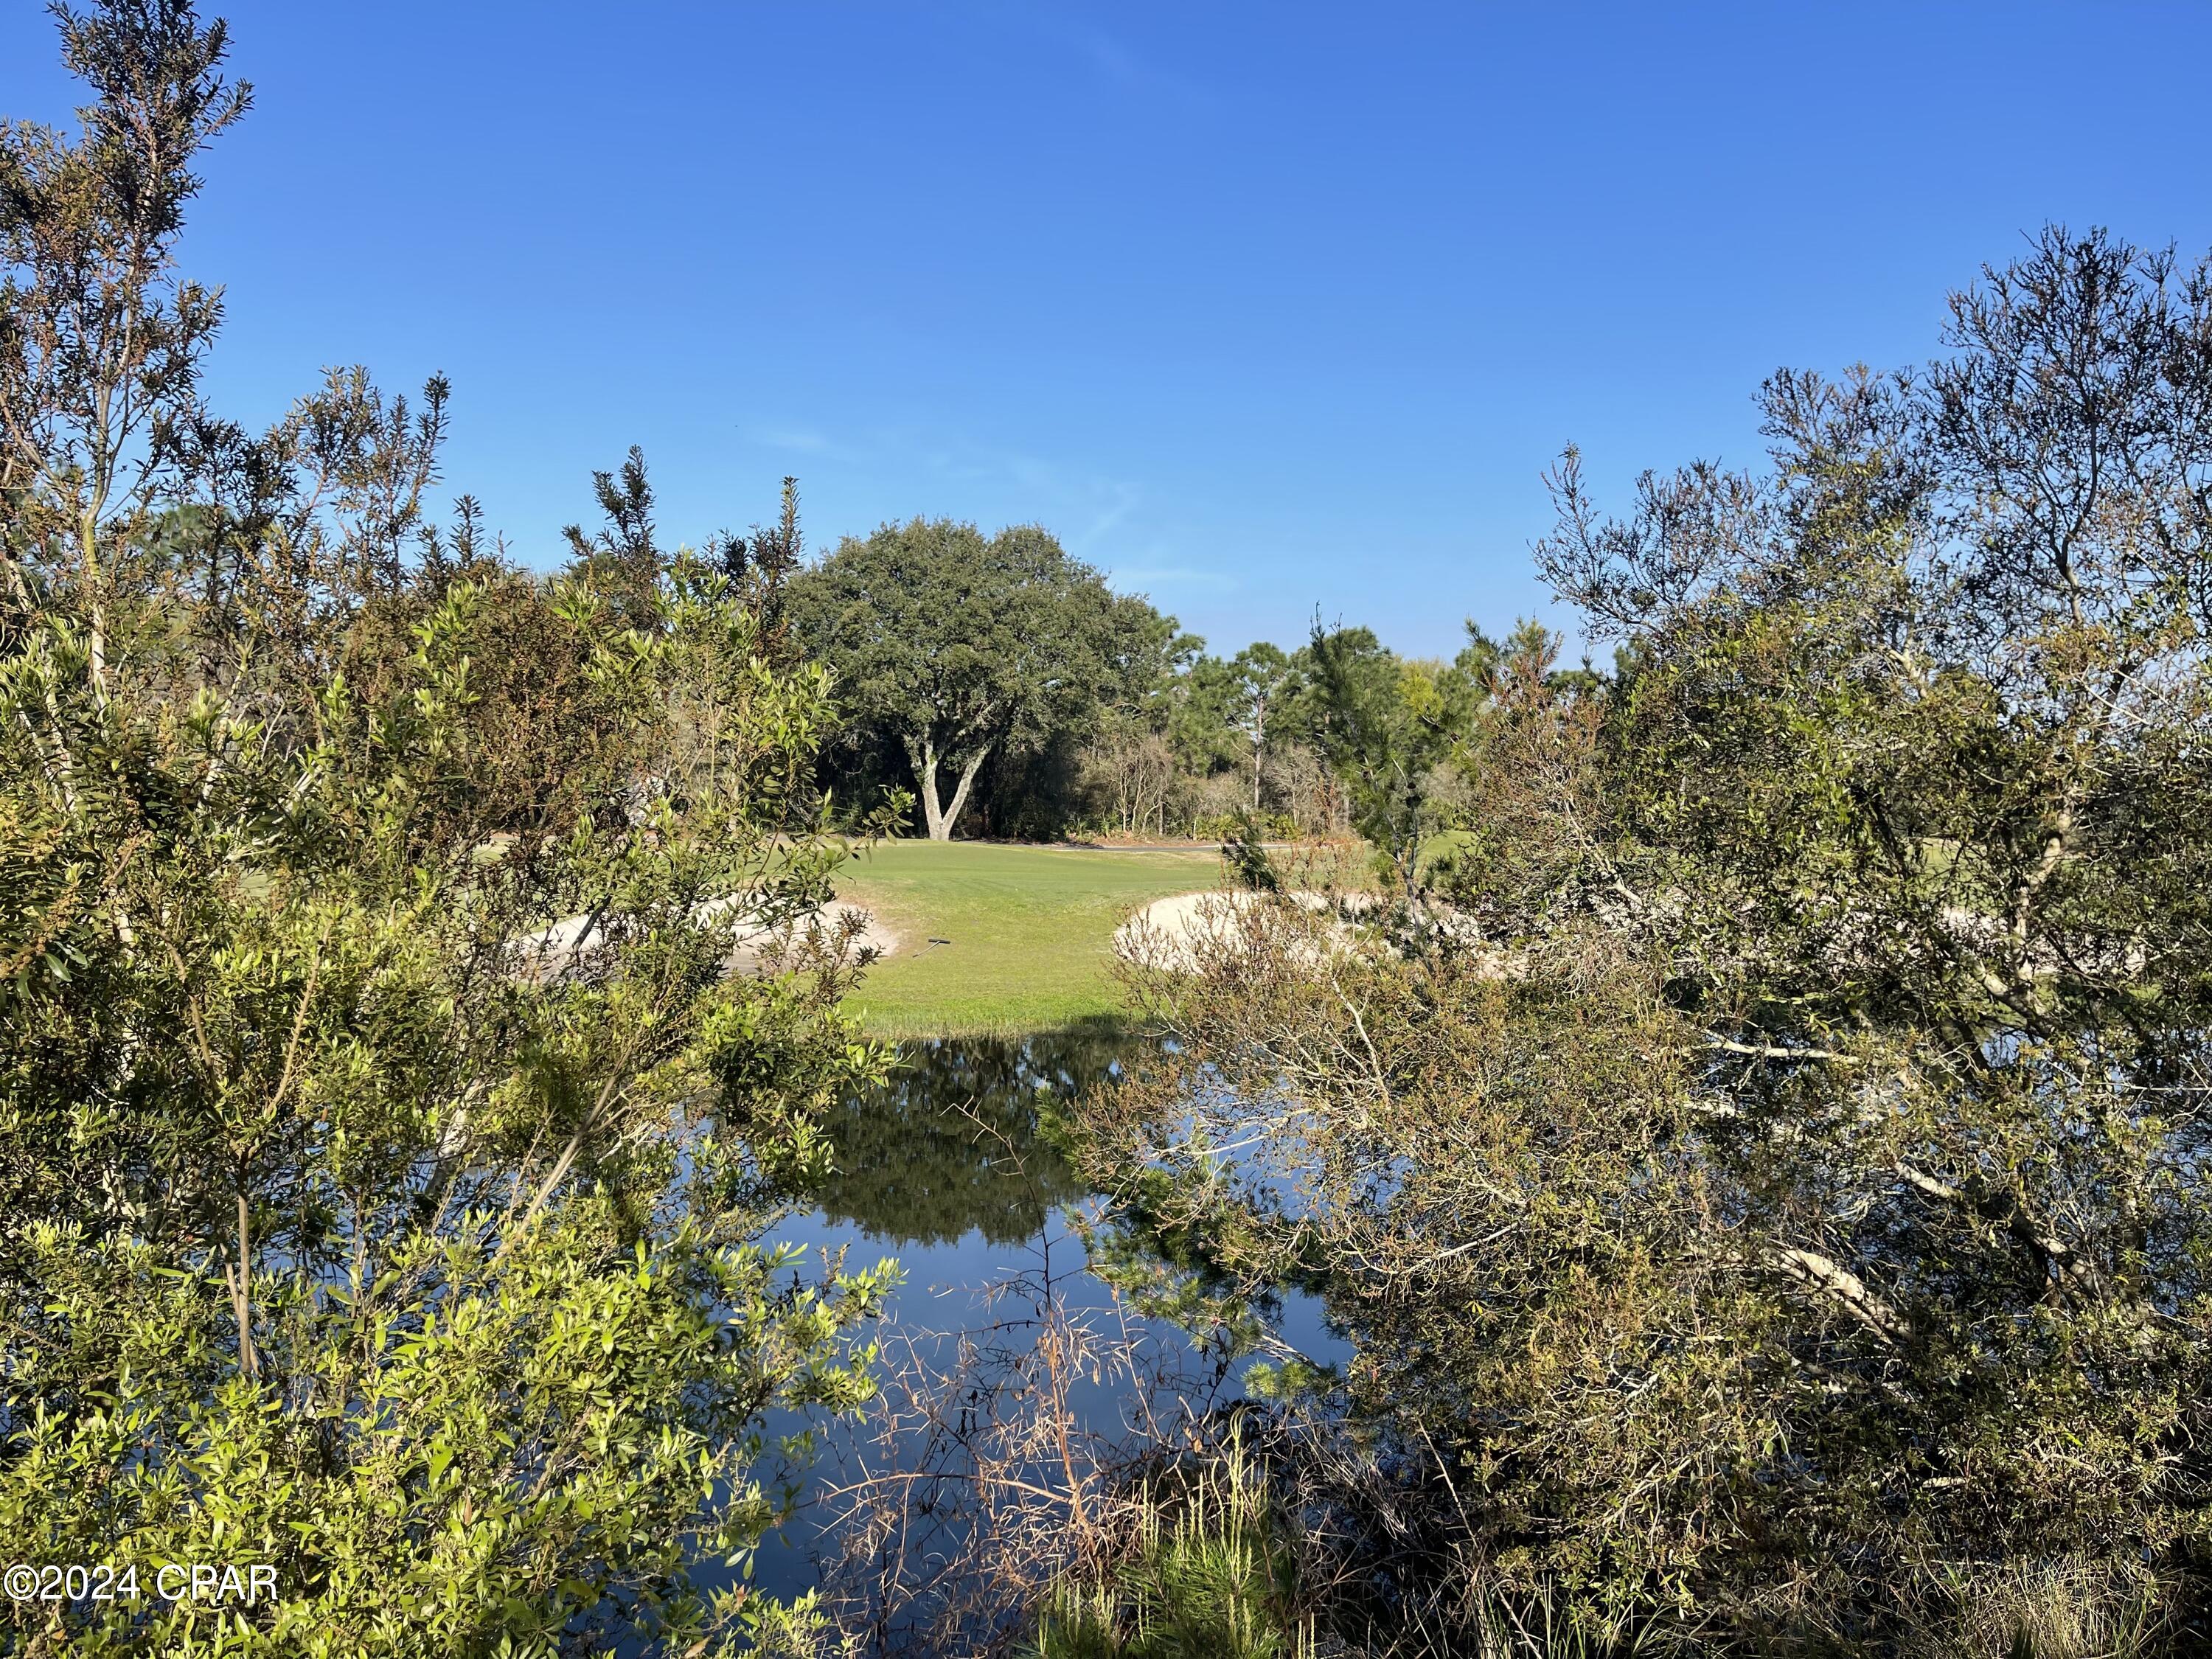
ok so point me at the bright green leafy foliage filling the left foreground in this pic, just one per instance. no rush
(384, 1147)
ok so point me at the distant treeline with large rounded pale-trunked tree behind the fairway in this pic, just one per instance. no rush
(1010, 693)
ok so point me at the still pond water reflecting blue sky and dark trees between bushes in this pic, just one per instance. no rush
(957, 1171)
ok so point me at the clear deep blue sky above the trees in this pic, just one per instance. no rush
(1260, 306)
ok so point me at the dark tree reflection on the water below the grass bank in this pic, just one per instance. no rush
(961, 1138)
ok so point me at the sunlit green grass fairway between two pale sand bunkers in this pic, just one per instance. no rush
(1032, 932)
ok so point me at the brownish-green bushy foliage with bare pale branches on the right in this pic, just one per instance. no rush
(1788, 1165)
